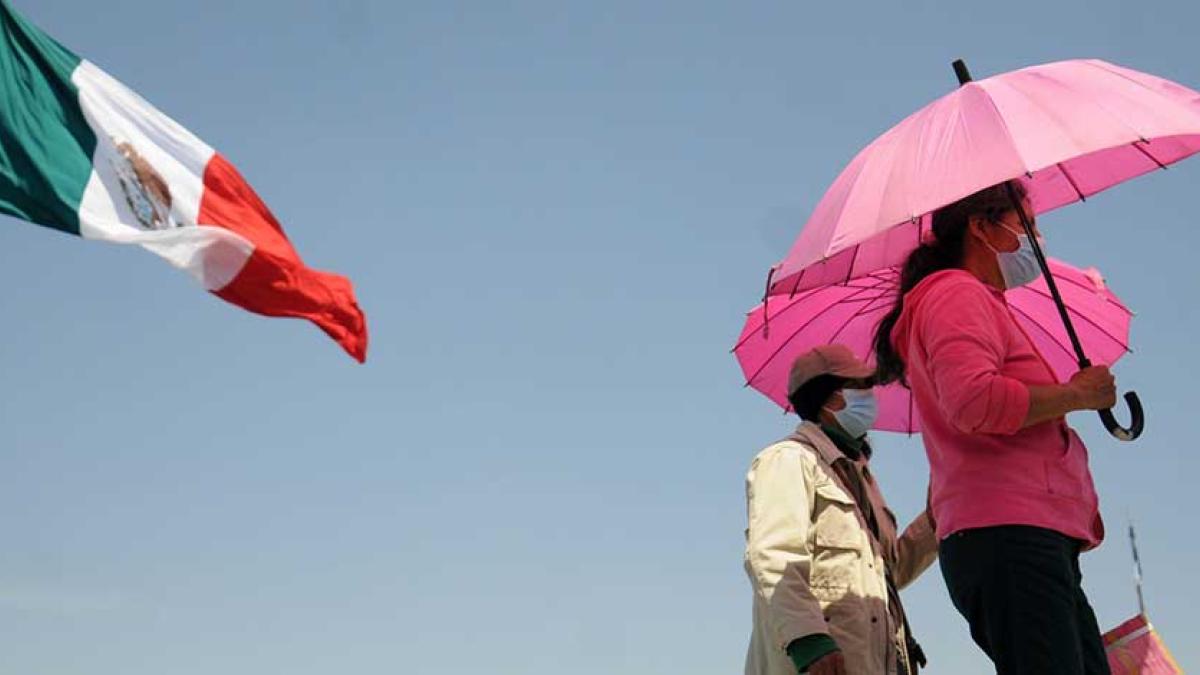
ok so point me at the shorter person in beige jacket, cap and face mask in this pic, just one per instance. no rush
(823, 552)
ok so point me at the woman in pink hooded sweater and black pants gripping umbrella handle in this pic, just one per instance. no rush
(1010, 489)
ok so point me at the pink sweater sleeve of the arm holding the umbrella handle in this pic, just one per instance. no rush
(964, 341)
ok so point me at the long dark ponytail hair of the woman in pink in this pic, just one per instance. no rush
(943, 252)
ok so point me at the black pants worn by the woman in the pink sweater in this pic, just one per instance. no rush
(1019, 589)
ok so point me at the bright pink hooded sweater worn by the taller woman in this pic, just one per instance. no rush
(970, 366)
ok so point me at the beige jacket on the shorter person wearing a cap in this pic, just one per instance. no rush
(815, 566)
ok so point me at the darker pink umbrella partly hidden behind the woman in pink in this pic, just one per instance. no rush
(849, 315)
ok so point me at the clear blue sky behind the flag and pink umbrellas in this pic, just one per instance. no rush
(556, 216)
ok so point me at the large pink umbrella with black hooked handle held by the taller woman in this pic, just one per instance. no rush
(1069, 130)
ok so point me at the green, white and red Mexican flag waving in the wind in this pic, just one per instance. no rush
(82, 153)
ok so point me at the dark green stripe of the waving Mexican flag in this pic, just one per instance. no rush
(46, 145)
